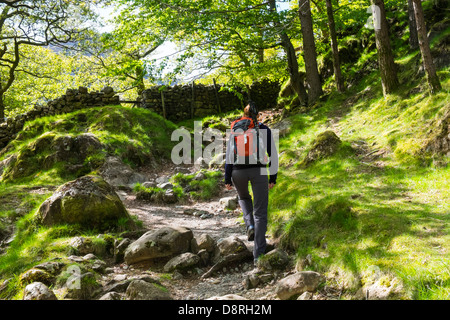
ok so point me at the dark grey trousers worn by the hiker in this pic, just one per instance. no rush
(255, 212)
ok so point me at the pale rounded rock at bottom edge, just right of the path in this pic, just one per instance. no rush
(298, 283)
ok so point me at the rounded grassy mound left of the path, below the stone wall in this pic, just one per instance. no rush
(136, 135)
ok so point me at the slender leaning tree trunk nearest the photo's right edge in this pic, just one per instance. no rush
(424, 46)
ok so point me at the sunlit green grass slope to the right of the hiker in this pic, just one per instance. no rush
(352, 214)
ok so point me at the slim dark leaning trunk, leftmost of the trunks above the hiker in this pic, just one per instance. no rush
(295, 77)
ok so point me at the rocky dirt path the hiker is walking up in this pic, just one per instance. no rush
(214, 221)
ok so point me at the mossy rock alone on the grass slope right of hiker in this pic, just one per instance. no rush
(326, 144)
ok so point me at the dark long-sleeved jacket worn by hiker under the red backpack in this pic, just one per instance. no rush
(271, 152)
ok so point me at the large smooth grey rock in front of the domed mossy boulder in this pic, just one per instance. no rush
(164, 242)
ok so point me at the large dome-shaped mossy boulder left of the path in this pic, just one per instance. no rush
(88, 201)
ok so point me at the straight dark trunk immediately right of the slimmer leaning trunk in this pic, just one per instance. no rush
(309, 51)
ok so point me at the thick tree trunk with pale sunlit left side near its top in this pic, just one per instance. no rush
(388, 70)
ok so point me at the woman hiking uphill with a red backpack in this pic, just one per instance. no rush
(246, 161)
